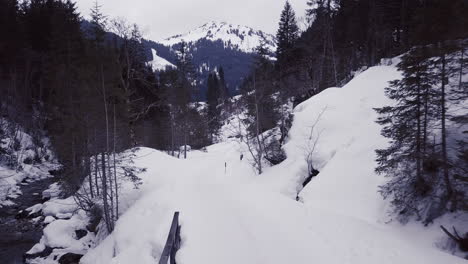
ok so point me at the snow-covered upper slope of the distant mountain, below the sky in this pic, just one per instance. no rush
(234, 36)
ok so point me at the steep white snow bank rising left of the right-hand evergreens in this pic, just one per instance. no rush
(347, 139)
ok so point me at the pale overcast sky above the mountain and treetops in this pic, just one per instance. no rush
(160, 19)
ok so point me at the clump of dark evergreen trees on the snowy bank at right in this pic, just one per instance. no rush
(418, 159)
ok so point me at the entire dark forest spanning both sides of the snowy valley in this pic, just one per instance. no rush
(94, 95)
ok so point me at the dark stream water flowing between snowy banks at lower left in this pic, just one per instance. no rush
(17, 236)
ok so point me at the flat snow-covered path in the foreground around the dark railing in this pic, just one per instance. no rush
(228, 219)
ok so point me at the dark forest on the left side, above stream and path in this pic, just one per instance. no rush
(88, 85)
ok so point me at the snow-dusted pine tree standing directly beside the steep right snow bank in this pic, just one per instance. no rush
(406, 124)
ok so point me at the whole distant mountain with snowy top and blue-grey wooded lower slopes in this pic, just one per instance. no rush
(213, 45)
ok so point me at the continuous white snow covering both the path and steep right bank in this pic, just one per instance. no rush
(230, 215)
